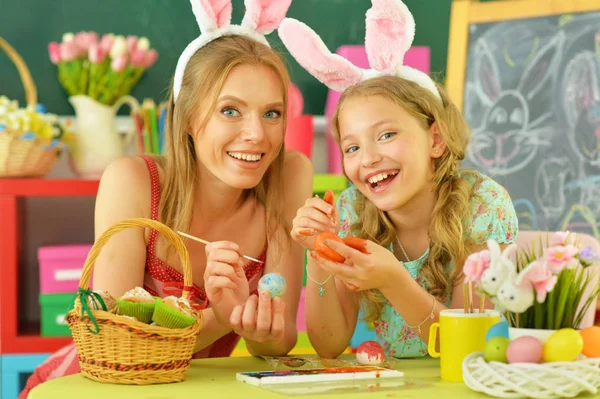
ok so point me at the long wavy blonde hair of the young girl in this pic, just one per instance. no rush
(453, 192)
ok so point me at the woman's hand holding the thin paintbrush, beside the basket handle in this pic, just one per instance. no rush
(224, 279)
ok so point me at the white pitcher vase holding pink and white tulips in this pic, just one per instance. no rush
(98, 142)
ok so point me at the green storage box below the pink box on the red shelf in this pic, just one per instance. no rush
(54, 309)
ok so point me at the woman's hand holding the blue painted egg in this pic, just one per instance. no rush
(260, 319)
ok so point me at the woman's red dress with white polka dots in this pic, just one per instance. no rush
(64, 362)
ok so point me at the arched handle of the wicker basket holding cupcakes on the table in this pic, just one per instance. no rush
(86, 274)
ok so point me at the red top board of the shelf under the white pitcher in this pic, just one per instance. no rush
(48, 187)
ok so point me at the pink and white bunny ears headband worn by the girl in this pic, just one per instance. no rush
(390, 30)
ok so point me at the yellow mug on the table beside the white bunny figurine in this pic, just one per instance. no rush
(460, 335)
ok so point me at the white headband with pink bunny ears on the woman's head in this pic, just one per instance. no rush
(214, 19)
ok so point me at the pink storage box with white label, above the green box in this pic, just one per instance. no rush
(60, 267)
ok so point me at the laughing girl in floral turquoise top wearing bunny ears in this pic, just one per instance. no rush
(402, 142)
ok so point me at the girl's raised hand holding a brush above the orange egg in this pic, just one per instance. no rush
(316, 216)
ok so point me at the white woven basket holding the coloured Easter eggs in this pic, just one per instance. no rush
(528, 380)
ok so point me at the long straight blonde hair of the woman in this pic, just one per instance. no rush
(203, 80)
